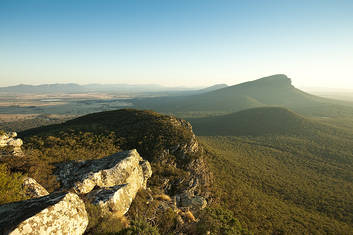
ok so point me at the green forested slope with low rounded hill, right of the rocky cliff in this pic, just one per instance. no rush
(290, 176)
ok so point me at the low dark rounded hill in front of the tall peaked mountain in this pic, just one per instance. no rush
(255, 122)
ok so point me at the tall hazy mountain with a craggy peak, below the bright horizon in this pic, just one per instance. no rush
(275, 90)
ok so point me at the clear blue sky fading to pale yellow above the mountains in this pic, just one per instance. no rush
(176, 42)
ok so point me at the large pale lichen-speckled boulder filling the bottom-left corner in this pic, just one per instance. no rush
(57, 213)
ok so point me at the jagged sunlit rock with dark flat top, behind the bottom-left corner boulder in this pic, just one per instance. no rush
(111, 182)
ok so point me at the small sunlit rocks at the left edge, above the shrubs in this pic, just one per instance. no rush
(8, 141)
